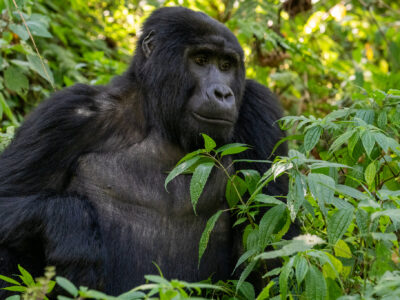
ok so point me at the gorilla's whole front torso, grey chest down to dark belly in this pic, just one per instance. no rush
(144, 223)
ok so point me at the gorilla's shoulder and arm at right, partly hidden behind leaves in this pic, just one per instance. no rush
(257, 127)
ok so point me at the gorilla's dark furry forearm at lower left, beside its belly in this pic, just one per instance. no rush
(46, 230)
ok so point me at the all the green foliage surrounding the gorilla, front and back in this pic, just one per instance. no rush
(336, 67)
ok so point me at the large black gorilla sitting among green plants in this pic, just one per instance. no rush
(82, 183)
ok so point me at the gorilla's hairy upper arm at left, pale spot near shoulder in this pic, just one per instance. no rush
(50, 141)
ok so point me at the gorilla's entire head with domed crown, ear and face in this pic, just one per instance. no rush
(191, 70)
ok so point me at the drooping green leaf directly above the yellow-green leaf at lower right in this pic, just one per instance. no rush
(338, 224)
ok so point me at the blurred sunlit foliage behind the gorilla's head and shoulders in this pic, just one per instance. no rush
(313, 54)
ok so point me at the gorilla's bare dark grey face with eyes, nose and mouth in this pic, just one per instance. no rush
(213, 105)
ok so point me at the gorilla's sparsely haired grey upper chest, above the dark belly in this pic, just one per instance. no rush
(134, 178)
